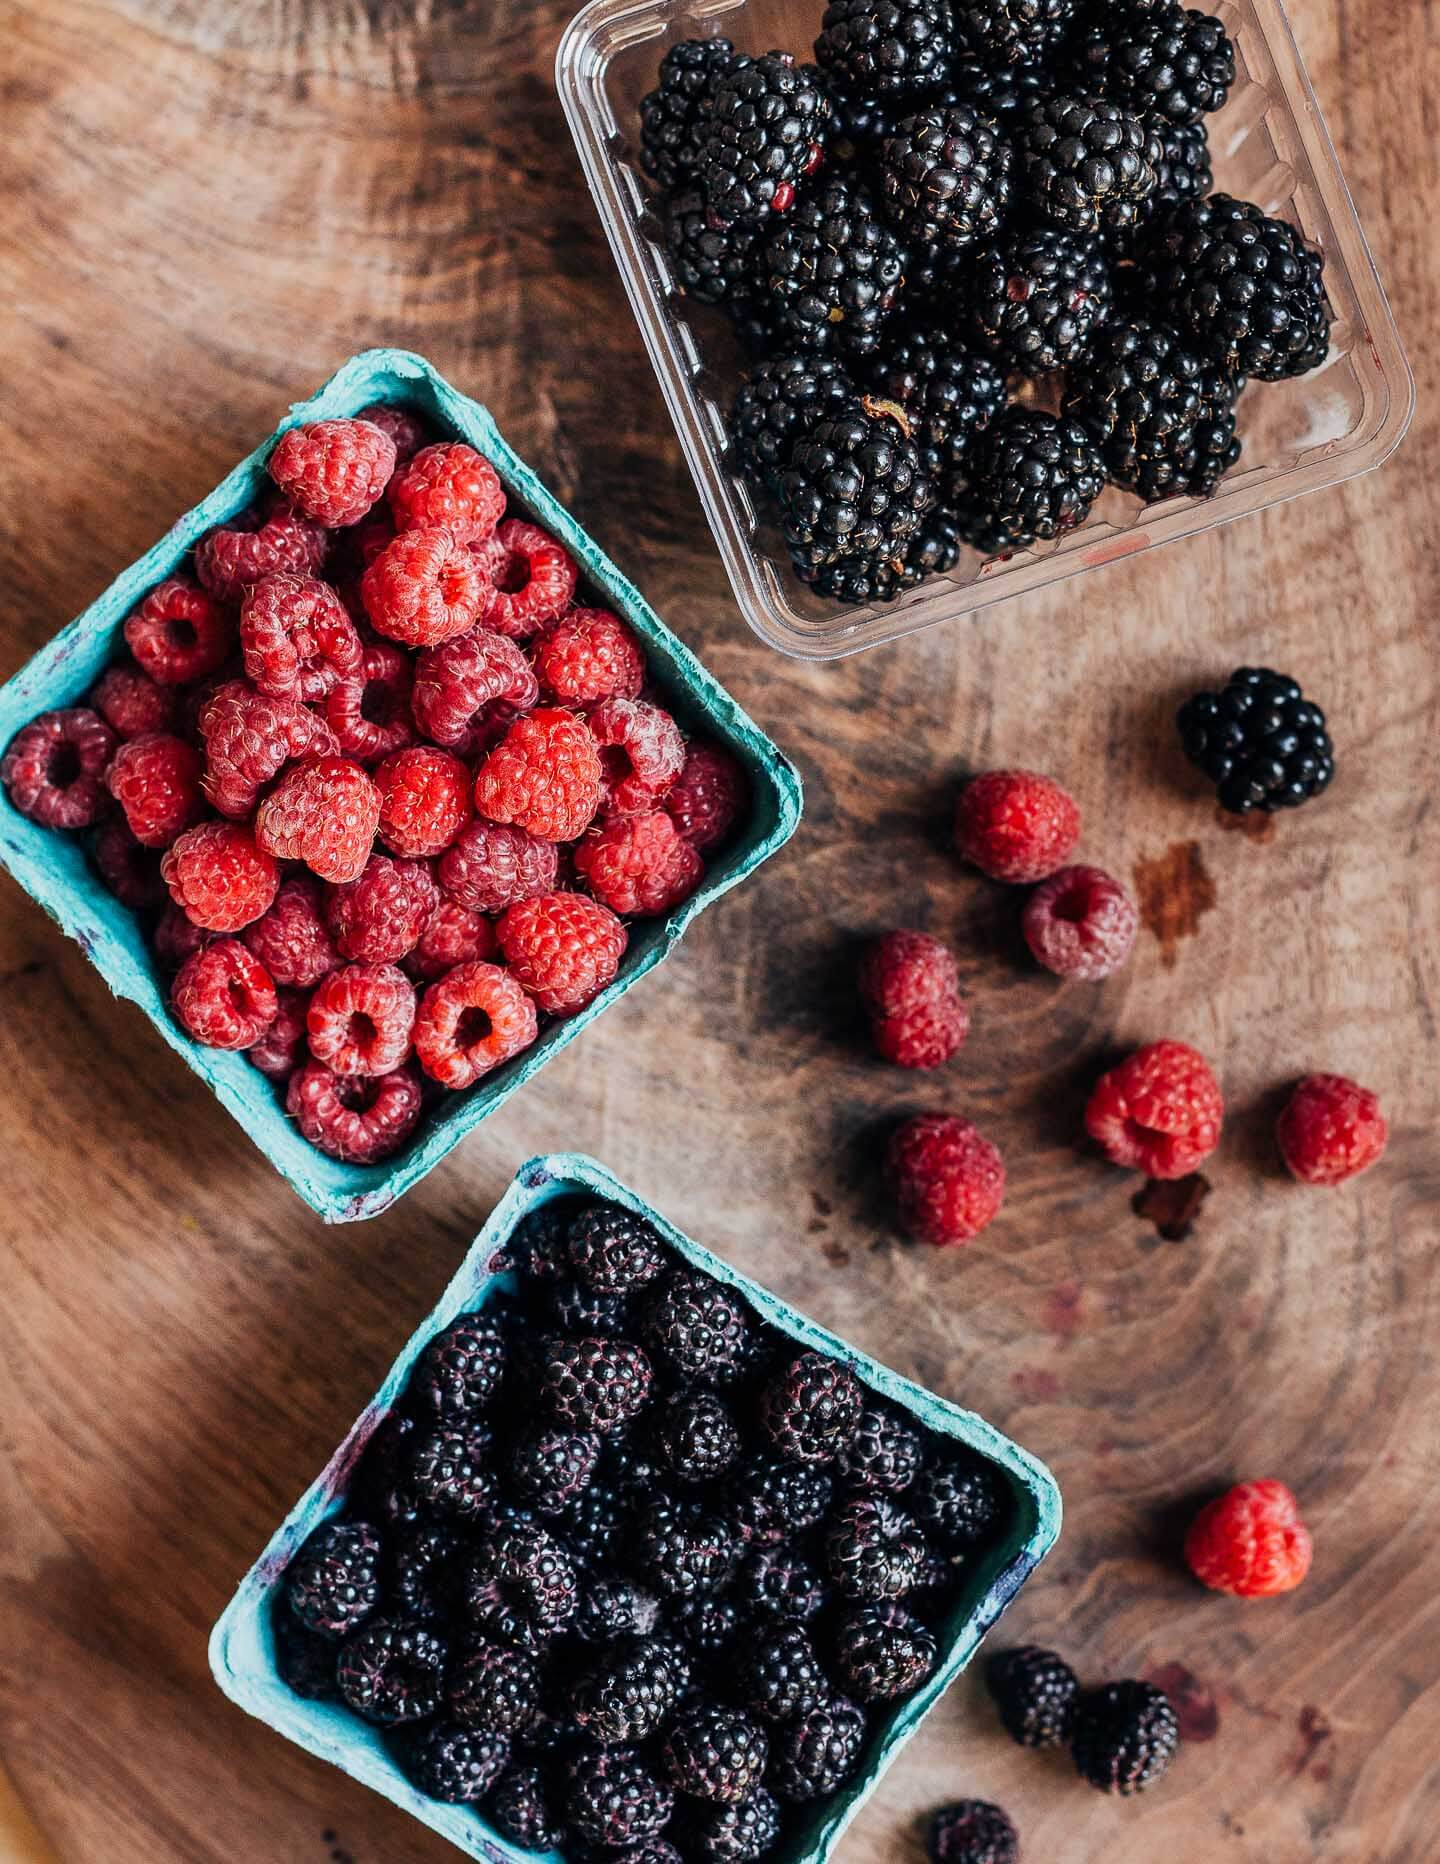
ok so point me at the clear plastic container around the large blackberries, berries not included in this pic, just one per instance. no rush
(1270, 146)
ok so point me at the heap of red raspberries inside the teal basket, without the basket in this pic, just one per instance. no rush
(381, 778)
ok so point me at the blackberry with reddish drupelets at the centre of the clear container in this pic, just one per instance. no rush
(1039, 299)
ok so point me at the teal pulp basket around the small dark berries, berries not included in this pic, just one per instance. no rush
(243, 1652)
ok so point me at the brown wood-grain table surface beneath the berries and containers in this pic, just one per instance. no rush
(204, 208)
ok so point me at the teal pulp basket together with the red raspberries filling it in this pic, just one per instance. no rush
(375, 780)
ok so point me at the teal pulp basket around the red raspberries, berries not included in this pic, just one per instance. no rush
(55, 871)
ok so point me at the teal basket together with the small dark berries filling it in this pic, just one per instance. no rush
(437, 1615)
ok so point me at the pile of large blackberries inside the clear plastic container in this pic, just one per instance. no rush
(979, 264)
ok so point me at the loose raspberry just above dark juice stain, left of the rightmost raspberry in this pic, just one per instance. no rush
(1160, 1112)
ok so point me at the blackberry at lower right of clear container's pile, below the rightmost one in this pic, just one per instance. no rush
(1160, 415)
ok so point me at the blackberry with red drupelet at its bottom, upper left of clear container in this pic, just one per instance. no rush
(763, 135)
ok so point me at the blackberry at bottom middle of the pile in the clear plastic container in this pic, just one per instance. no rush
(1035, 476)
